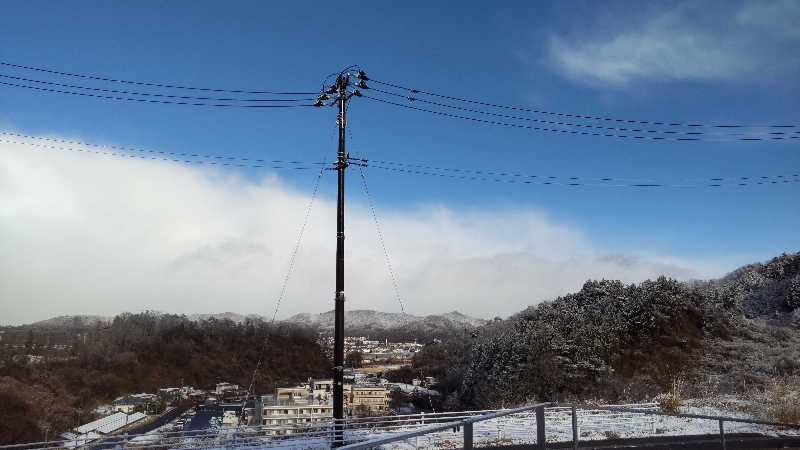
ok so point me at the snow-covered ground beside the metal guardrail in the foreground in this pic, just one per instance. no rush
(516, 429)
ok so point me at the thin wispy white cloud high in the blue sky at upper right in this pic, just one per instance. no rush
(743, 41)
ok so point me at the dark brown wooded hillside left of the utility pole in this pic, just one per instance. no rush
(141, 353)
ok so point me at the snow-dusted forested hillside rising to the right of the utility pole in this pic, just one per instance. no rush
(622, 342)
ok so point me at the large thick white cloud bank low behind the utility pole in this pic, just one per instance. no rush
(82, 233)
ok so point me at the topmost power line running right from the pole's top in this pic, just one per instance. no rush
(580, 116)
